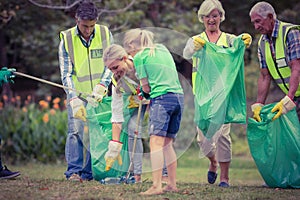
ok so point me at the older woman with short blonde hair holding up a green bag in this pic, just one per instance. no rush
(218, 149)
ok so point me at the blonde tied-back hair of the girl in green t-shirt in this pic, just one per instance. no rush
(138, 39)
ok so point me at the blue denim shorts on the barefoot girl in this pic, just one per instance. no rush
(165, 115)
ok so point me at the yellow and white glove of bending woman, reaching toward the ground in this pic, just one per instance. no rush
(113, 153)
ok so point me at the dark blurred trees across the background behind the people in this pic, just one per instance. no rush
(30, 28)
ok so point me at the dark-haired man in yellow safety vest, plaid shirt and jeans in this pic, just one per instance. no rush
(82, 68)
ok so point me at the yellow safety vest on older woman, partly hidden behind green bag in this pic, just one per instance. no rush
(224, 40)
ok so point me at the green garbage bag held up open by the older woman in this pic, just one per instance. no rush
(220, 95)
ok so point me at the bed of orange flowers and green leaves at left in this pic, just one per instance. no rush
(33, 132)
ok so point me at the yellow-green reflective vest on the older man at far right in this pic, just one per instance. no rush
(279, 70)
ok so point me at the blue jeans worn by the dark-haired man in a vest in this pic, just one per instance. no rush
(74, 149)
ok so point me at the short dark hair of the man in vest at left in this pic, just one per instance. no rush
(87, 10)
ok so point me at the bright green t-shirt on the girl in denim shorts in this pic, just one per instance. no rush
(159, 69)
